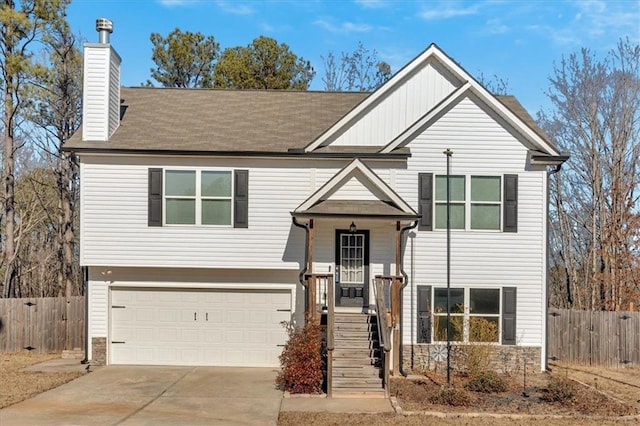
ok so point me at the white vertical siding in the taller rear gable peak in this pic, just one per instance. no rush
(400, 109)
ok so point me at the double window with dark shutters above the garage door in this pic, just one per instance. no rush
(198, 197)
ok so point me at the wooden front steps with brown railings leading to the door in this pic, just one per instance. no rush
(362, 349)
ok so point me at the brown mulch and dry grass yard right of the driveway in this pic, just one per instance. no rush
(539, 402)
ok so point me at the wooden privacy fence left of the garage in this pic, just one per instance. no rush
(39, 324)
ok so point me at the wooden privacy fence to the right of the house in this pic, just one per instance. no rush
(608, 339)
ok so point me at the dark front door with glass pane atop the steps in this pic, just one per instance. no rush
(352, 268)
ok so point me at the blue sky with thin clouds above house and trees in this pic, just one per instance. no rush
(519, 41)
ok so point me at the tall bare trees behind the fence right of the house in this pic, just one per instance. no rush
(596, 228)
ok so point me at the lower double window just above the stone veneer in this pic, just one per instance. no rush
(475, 315)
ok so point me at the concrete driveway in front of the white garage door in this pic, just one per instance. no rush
(127, 395)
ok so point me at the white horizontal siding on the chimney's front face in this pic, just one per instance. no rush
(95, 112)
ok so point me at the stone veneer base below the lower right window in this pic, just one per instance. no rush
(504, 359)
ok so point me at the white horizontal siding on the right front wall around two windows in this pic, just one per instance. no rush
(480, 146)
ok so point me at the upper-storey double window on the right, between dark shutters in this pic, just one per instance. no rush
(476, 202)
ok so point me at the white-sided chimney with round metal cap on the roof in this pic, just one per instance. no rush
(101, 86)
